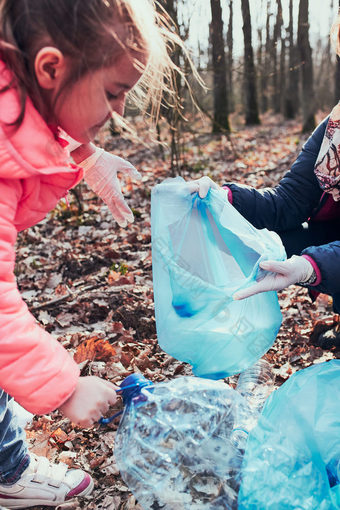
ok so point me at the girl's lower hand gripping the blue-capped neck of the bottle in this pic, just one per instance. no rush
(90, 401)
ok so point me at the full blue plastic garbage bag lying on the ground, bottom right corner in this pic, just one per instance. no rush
(292, 459)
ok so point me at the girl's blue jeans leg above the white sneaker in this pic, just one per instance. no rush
(14, 457)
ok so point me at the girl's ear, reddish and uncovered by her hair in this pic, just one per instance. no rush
(49, 67)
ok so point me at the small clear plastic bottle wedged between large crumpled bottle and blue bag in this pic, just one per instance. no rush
(255, 384)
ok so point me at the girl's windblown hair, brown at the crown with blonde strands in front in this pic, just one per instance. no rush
(91, 34)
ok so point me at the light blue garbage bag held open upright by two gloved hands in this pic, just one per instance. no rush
(203, 250)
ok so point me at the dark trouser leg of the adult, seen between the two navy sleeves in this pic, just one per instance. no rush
(311, 234)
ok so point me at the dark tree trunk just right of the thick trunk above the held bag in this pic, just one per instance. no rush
(252, 115)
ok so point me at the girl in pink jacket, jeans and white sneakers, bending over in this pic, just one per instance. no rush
(65, 67)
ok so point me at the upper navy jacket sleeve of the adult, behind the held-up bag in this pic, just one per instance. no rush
(293, 200)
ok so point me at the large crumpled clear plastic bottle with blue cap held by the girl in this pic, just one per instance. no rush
(173, 445)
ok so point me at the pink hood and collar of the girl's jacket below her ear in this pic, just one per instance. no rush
(32, 148)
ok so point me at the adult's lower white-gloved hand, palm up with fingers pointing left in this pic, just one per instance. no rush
(282, 274)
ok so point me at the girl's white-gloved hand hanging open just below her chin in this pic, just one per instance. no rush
(101, 175)
